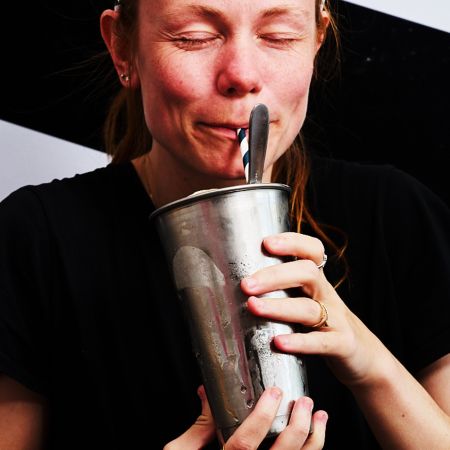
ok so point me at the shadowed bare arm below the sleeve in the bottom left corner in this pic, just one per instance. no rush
(22, 416)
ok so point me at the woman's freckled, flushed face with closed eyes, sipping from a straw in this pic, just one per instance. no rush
(204, 64)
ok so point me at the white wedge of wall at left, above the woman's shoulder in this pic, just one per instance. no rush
(29, 157)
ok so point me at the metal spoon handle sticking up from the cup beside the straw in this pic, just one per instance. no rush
(257, 143)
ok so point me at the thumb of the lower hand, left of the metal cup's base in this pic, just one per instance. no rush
(200, 433)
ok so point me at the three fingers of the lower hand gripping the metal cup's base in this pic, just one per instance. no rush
(255, 427)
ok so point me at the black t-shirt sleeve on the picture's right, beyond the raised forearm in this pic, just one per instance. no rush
(417, 231)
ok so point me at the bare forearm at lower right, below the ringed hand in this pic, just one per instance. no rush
(399, 410)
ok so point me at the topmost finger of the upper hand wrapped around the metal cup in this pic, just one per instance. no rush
(295, 244)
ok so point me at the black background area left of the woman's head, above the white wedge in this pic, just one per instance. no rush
(51, 78)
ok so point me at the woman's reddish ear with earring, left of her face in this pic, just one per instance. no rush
(118, 49)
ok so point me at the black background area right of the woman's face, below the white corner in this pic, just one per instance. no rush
(390, 103)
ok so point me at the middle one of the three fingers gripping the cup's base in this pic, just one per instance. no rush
(297, 431)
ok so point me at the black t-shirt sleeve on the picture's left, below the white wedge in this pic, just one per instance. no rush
(26, 268)
